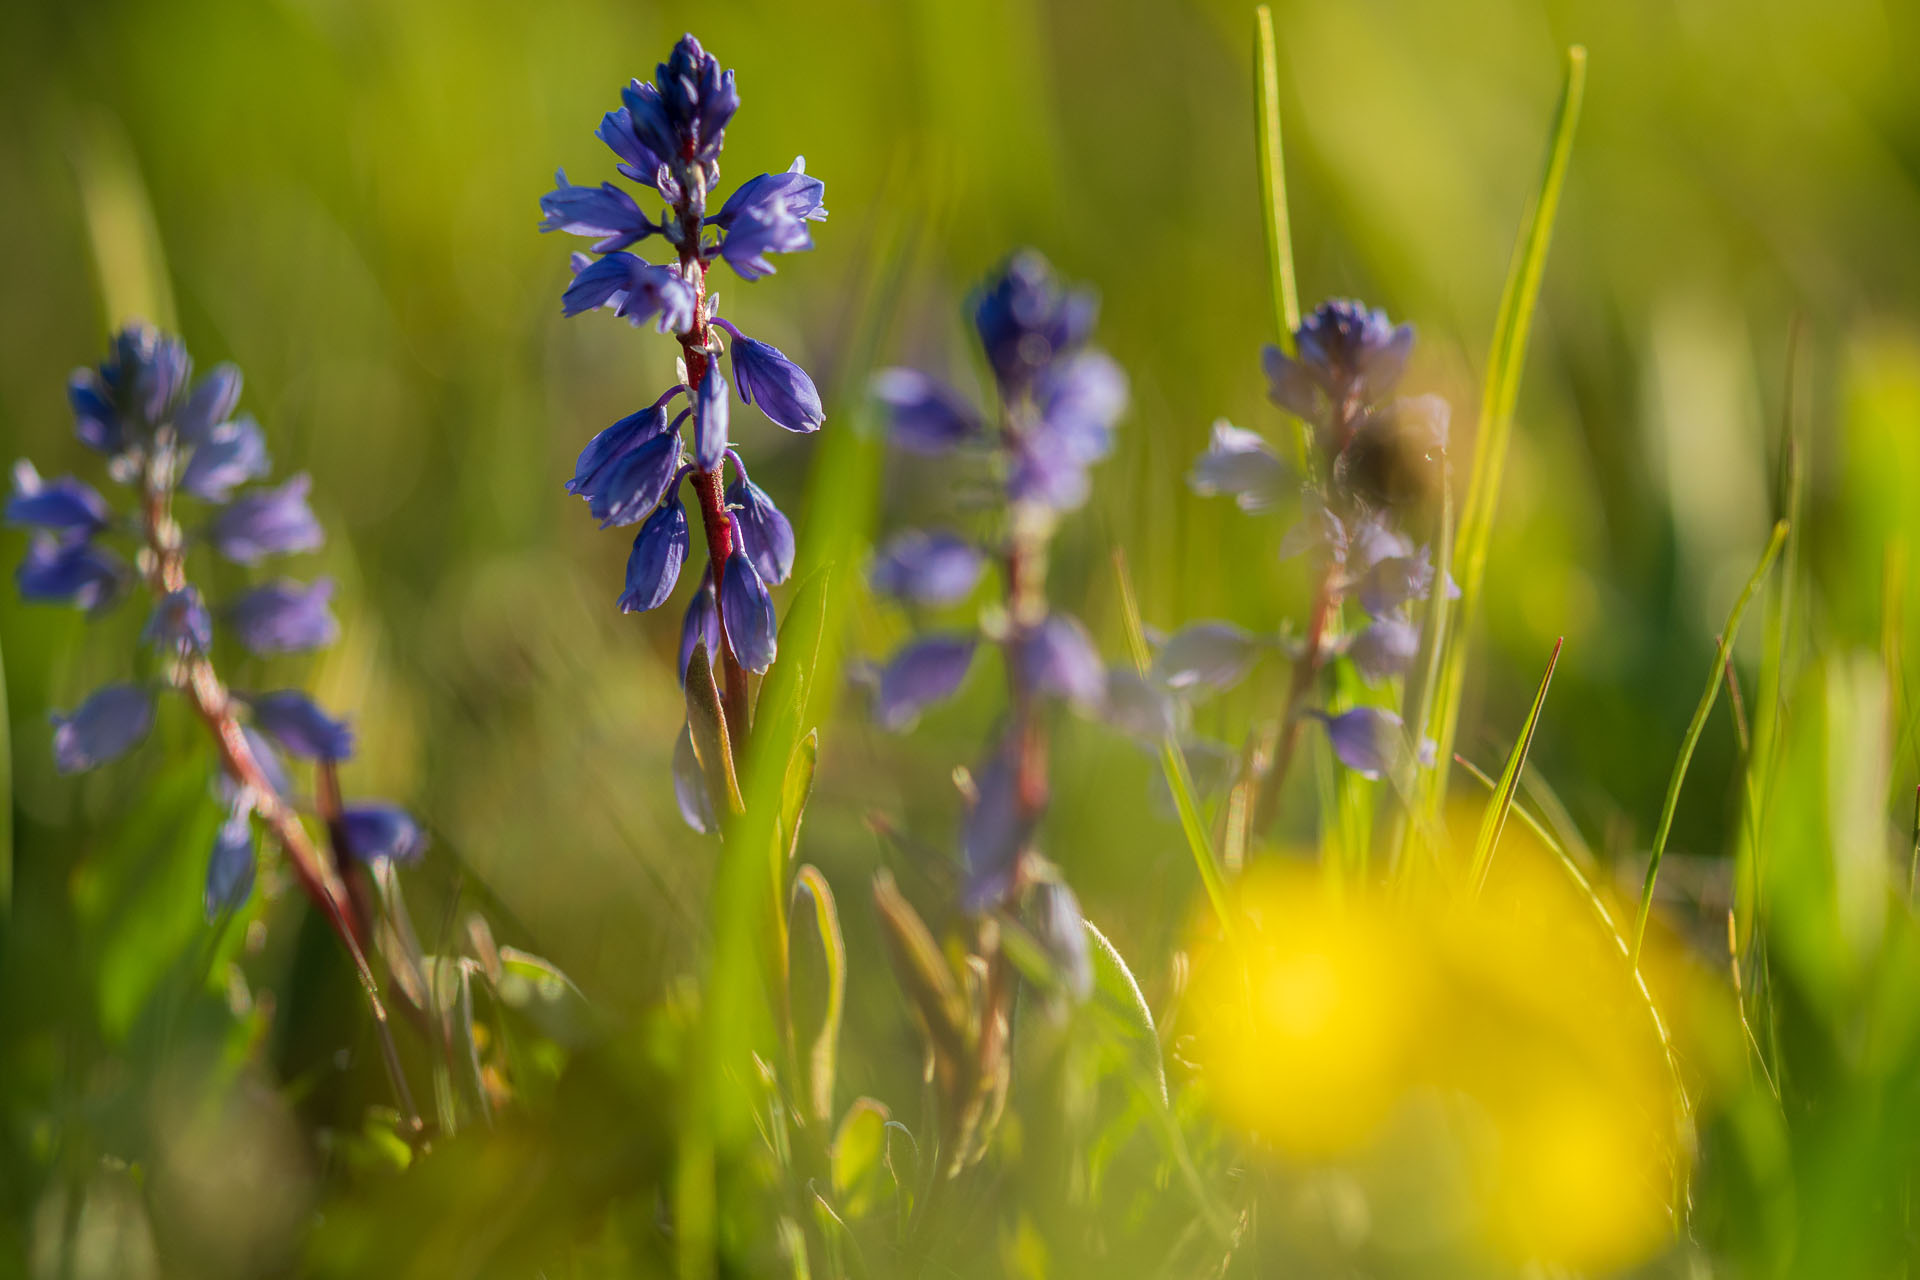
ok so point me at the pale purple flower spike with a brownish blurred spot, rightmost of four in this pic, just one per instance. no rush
(1370, 462)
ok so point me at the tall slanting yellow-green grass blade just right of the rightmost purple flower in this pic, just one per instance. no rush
(1508, 356)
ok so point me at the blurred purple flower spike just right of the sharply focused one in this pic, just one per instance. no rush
(1059, 404)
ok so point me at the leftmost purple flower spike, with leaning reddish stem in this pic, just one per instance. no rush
(170, 439)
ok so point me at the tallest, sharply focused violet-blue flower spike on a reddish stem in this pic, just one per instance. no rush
(667, 137)
